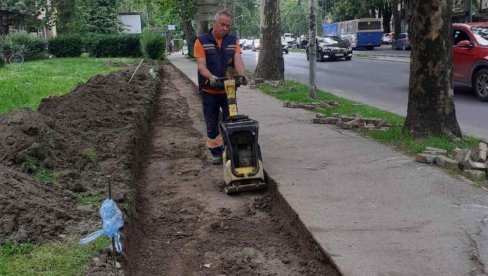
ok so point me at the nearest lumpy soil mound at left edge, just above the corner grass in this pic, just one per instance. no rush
(35, 211)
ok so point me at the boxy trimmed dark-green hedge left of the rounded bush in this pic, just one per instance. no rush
(113, 45)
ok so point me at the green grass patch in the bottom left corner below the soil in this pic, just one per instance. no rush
(53, 258)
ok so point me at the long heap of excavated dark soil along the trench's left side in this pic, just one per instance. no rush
(77, 140)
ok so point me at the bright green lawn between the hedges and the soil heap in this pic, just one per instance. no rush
(26, 85)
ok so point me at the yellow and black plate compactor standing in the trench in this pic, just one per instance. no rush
(243, 165)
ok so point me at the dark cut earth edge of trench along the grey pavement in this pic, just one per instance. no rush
(279, 205)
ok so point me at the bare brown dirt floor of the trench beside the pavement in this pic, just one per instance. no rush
(185, 225)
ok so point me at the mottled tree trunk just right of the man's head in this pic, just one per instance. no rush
(271, 65)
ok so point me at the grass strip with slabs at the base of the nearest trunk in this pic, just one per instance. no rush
(296, 92)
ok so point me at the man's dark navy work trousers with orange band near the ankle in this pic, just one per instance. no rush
(212, 106)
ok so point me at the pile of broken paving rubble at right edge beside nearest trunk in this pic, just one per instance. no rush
(473, 163)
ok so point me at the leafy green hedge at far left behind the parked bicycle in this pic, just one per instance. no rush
(31, 47)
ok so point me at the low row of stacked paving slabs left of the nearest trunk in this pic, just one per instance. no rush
(351, 122)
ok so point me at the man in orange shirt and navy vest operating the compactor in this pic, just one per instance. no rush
(216, 52)
